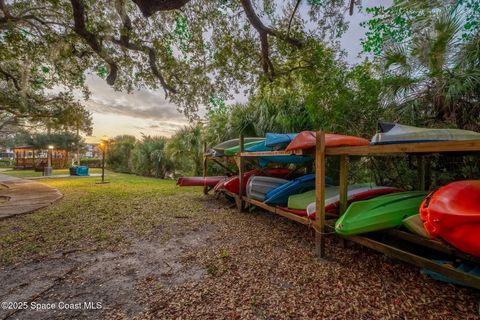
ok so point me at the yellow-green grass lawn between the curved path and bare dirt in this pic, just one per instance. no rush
(94, 216)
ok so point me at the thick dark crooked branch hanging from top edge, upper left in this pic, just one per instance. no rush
(91, 39)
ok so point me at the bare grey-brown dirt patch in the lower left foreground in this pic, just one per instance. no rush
(107, 277)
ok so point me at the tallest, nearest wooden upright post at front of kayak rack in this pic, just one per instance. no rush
(320, 194)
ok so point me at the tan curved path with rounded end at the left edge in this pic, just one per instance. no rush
(22, 196)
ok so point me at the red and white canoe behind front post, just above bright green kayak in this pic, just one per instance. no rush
(355, 193)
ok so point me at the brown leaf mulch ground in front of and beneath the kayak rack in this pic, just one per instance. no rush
(260, 266)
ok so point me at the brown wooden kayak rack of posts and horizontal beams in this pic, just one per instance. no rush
(319, 224)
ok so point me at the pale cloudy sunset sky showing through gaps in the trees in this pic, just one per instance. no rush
(148, 112)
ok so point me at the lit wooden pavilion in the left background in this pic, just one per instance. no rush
(29, 157)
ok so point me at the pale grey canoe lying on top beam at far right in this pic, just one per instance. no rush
(390, 133)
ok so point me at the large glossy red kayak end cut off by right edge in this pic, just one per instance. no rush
(453, 214)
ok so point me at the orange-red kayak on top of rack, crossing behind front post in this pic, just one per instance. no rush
(307, 140)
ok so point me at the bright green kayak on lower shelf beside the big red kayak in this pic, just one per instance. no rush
(379, 213)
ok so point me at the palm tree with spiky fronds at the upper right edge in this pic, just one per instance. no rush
(437, 77)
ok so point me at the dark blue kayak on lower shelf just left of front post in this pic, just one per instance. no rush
(279, 195)
